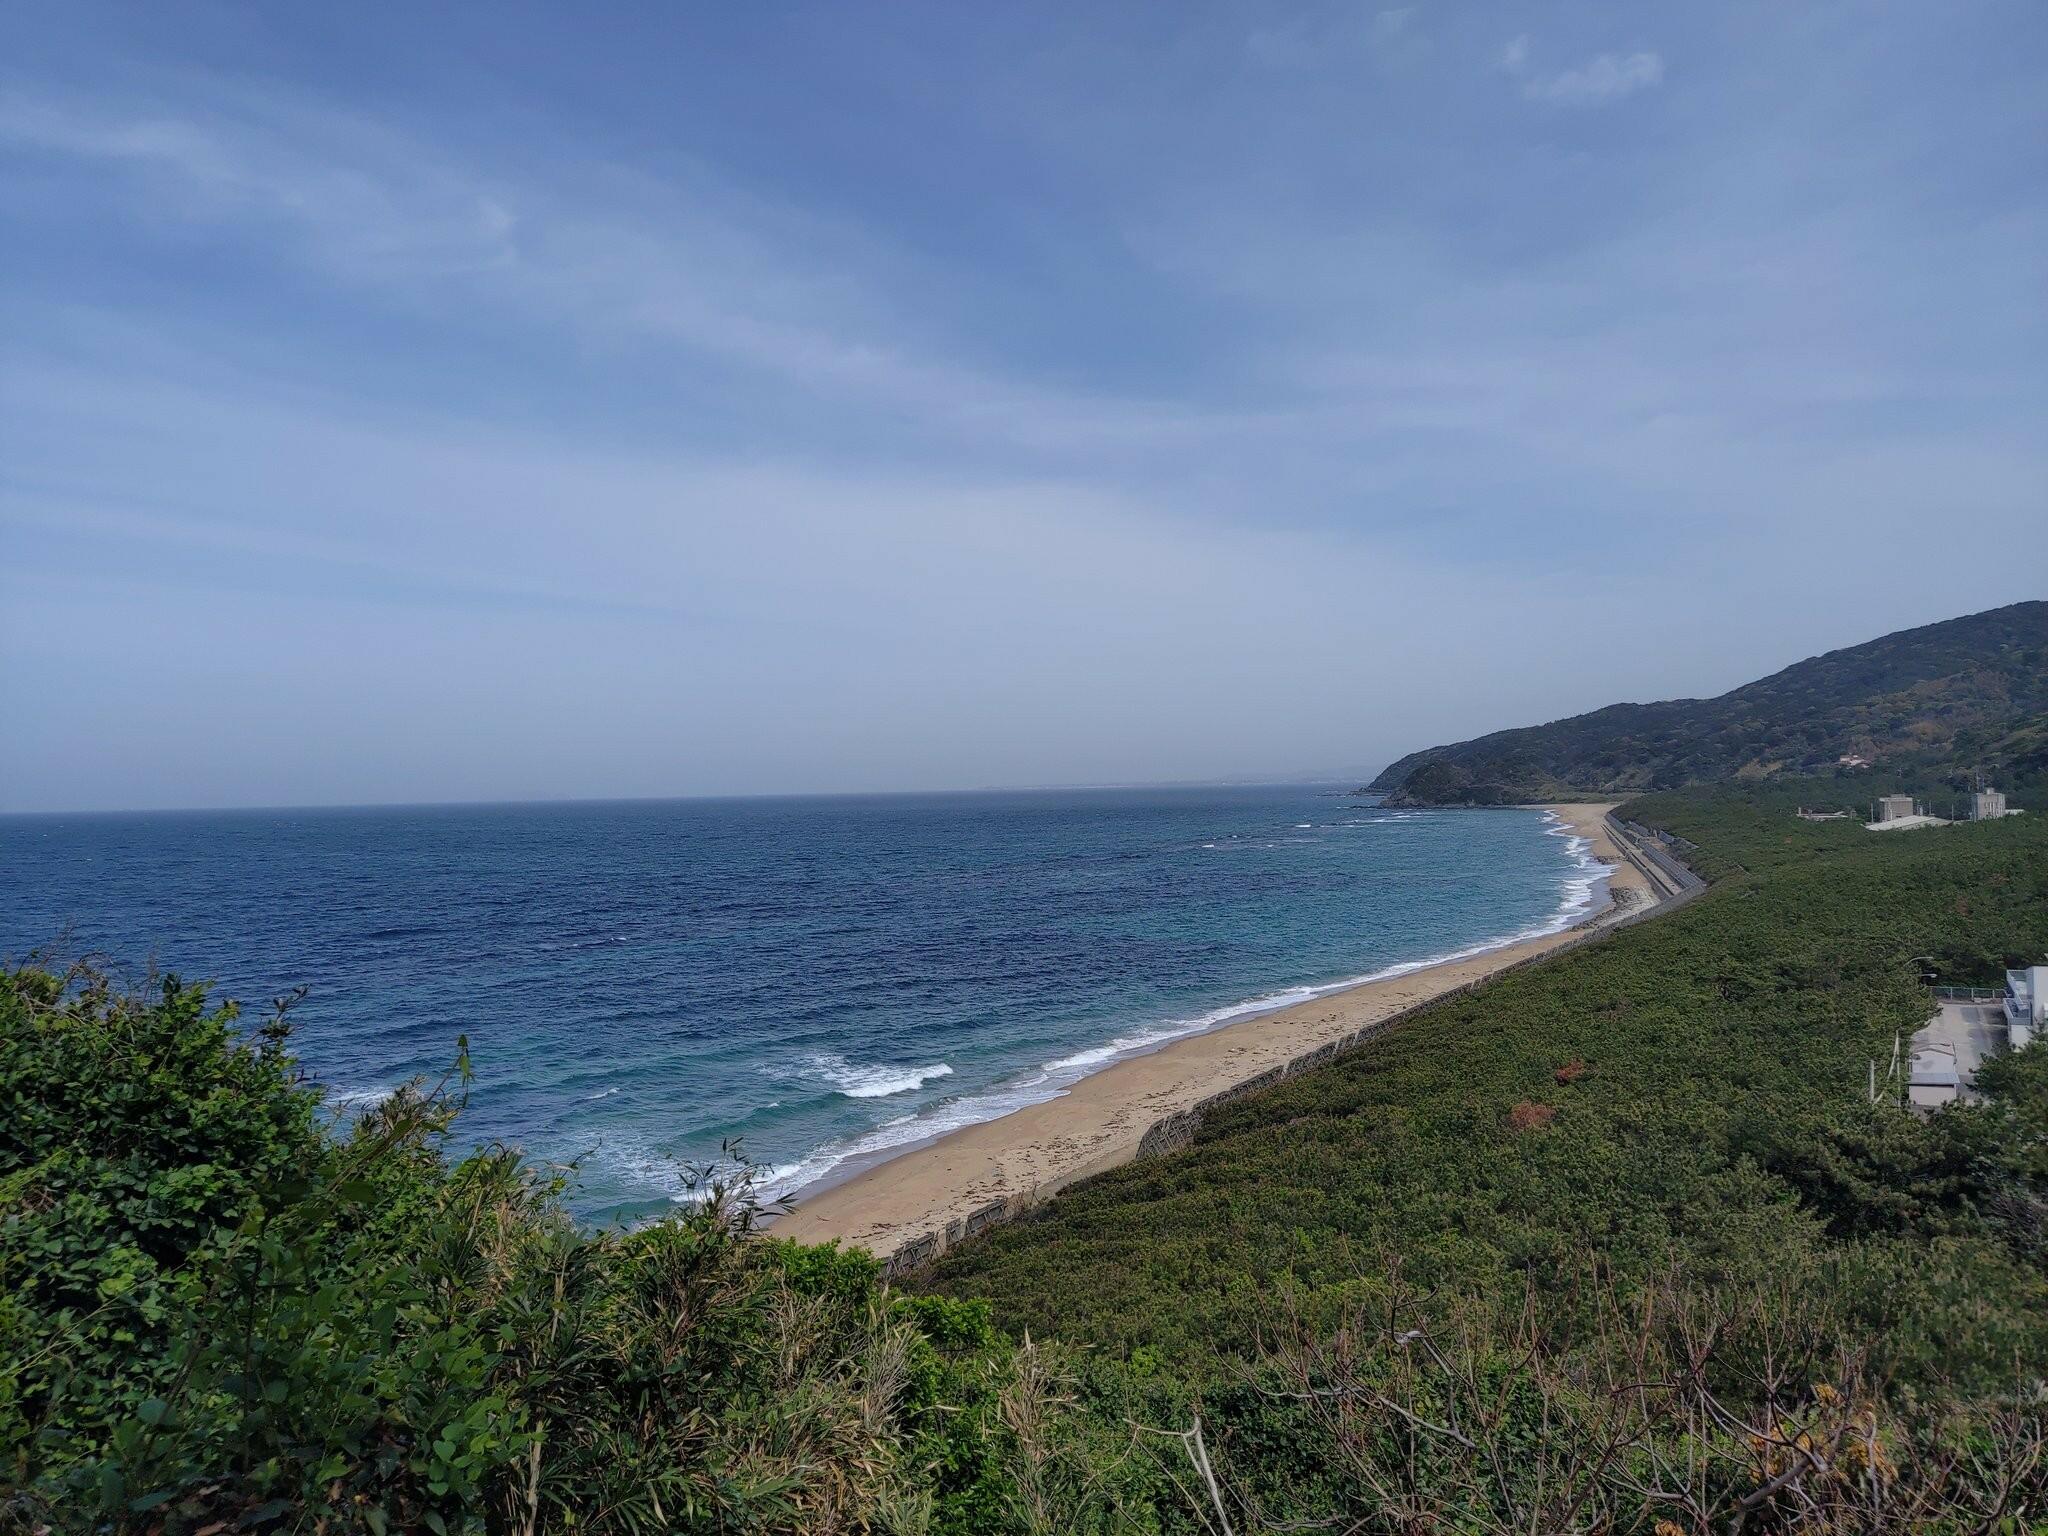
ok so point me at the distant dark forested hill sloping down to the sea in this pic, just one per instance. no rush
(1943, 701)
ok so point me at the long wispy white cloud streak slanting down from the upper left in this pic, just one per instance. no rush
(699, 267)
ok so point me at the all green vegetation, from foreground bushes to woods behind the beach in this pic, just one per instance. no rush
(1615, 1244)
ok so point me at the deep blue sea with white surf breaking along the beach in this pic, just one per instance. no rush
(814, 978)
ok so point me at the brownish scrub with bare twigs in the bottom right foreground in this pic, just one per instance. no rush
(1662, 1410)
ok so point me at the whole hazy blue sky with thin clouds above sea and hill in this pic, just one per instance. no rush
(531, 400)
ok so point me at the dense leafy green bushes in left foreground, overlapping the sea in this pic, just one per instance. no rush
(220, 1316)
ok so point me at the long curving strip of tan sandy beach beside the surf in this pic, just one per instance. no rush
(1101, 1121)
